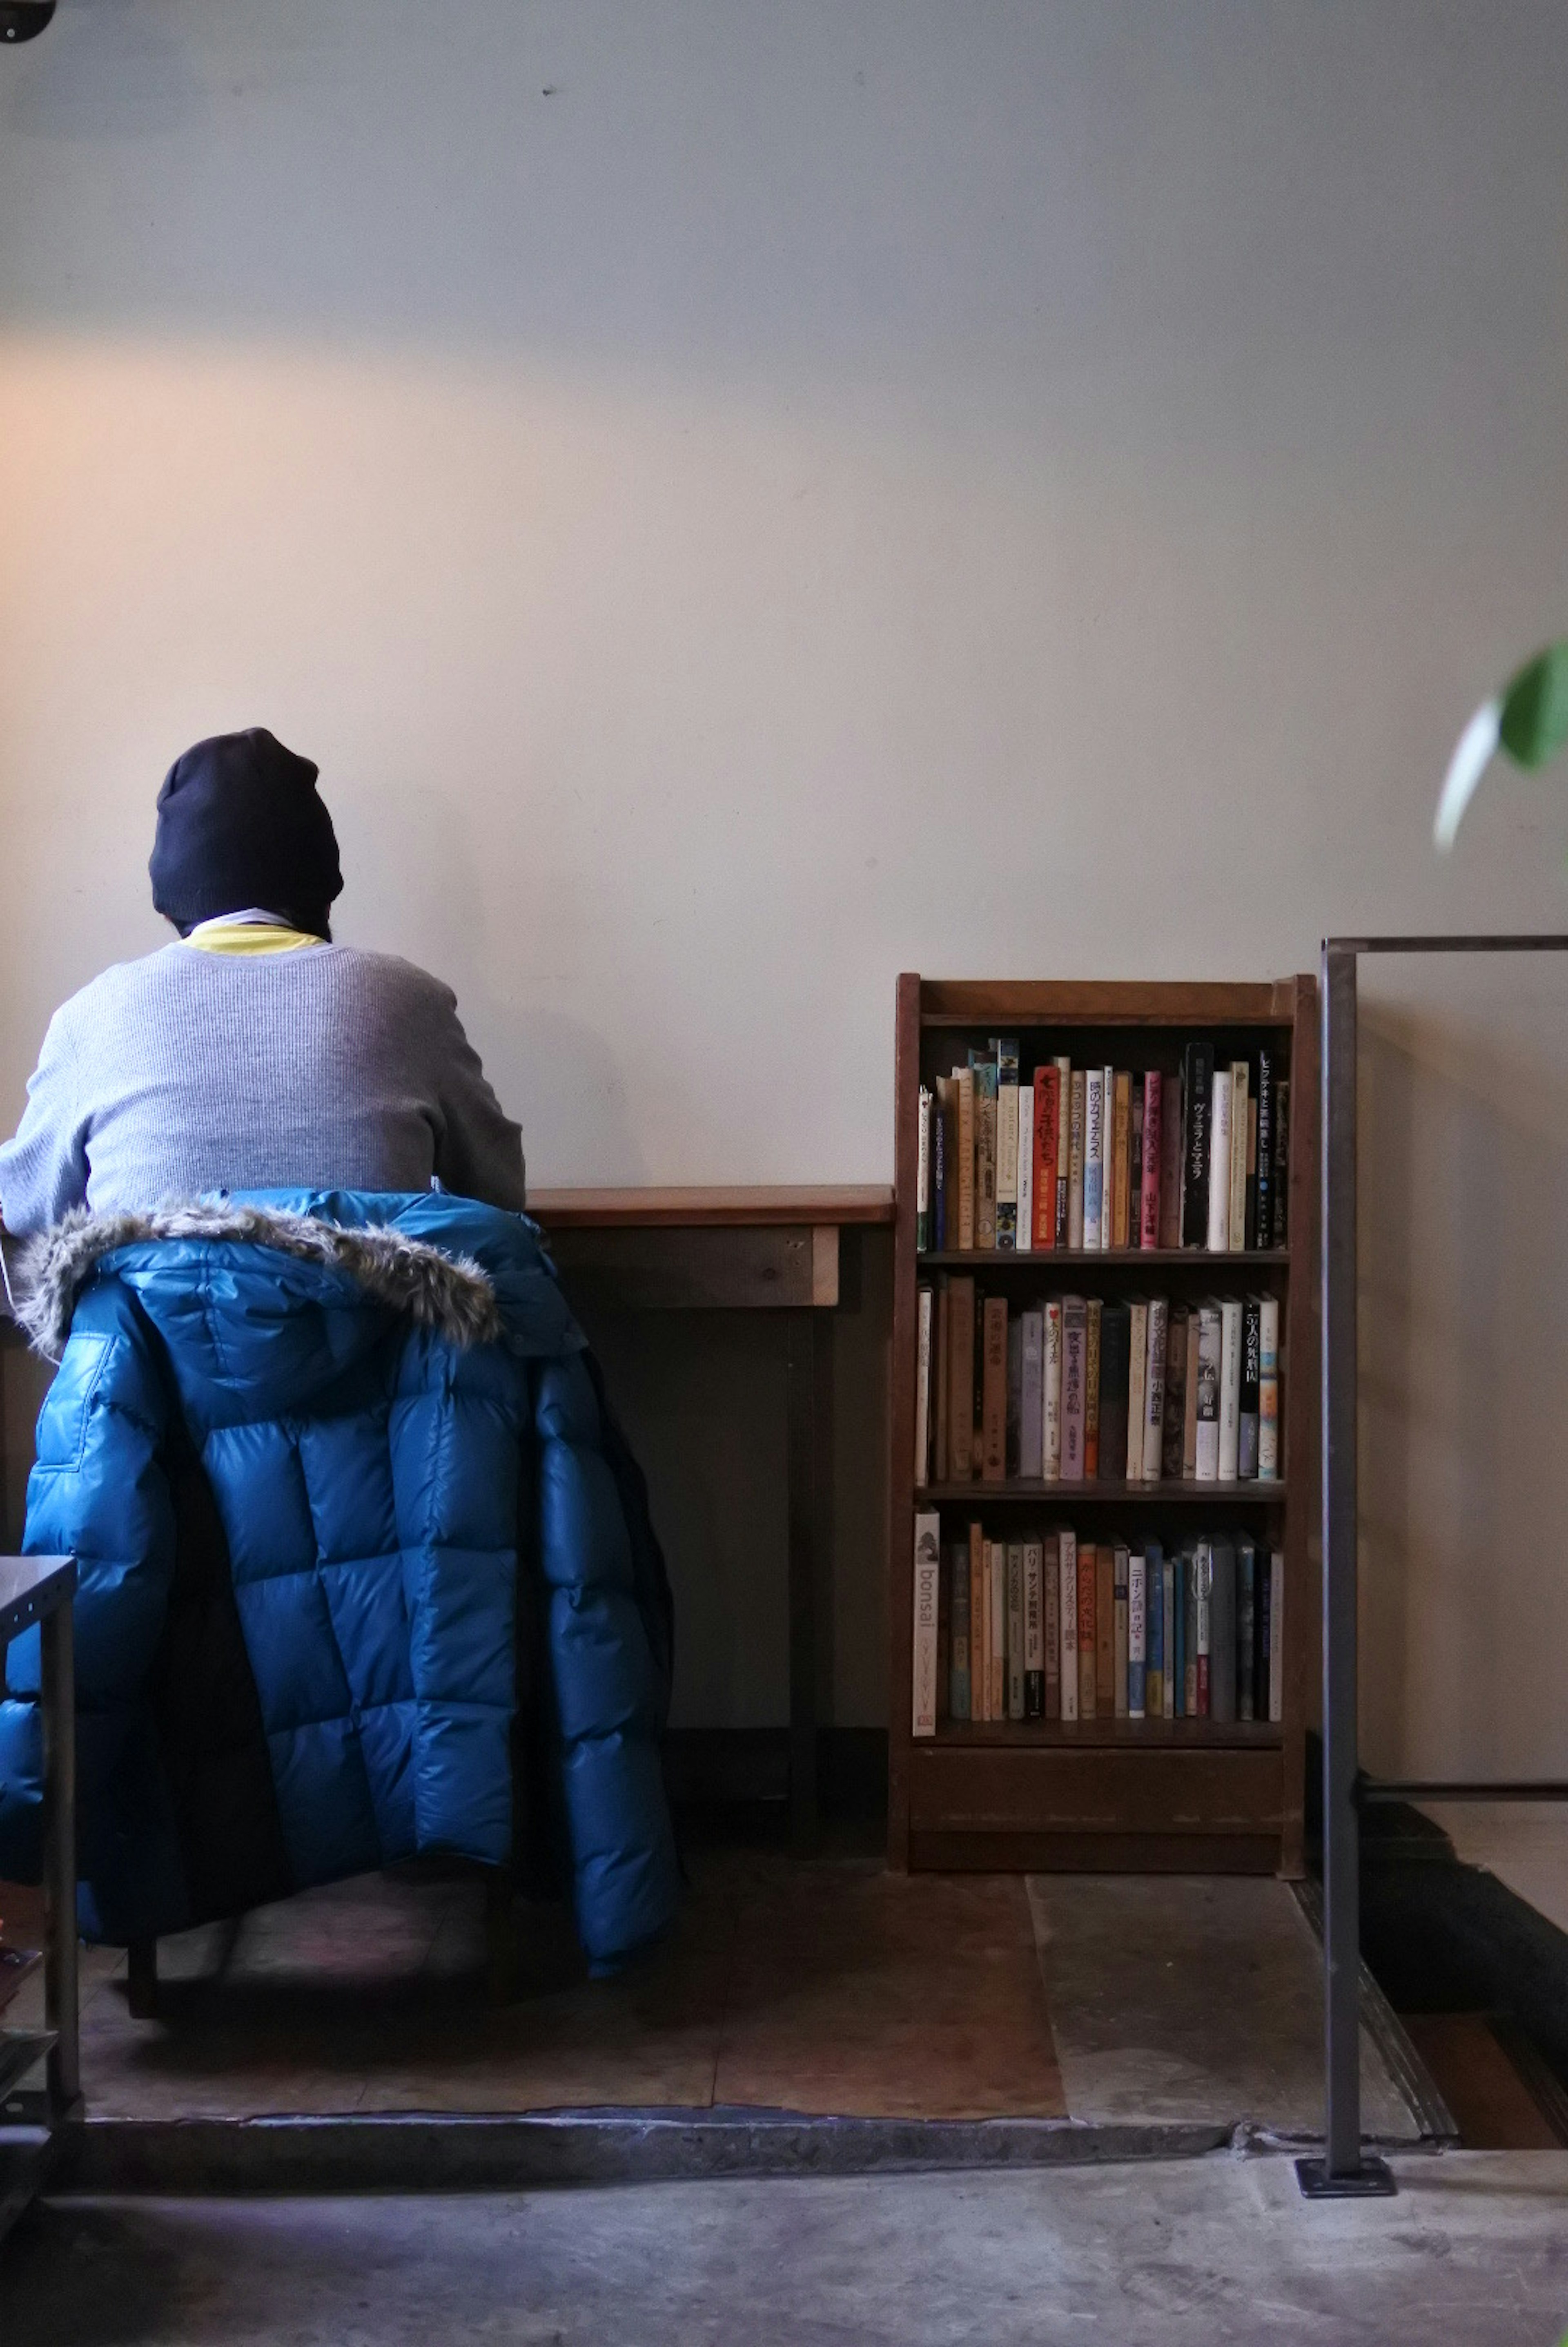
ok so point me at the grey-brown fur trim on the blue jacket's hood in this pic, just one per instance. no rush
(450, 1294)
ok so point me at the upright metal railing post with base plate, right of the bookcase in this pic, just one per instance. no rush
(1341, 2172)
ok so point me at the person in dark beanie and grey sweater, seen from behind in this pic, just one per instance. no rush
(255, 1053)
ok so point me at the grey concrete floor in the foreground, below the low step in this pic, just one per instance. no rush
(1473, 2254)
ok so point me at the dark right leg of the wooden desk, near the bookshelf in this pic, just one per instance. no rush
(811, 1560)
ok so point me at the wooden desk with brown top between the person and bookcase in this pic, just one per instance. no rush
(750, 1250)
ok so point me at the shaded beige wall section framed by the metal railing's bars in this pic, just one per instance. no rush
(1464, 1442)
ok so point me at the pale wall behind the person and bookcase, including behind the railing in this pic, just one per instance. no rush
(820, 492)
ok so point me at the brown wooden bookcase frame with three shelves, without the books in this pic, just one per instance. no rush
(1161, 1797)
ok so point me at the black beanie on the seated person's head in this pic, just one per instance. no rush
(241, 825)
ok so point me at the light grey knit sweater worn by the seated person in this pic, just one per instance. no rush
(281, 1071)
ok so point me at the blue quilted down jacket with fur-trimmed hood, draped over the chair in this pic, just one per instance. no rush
(365, 1567)
